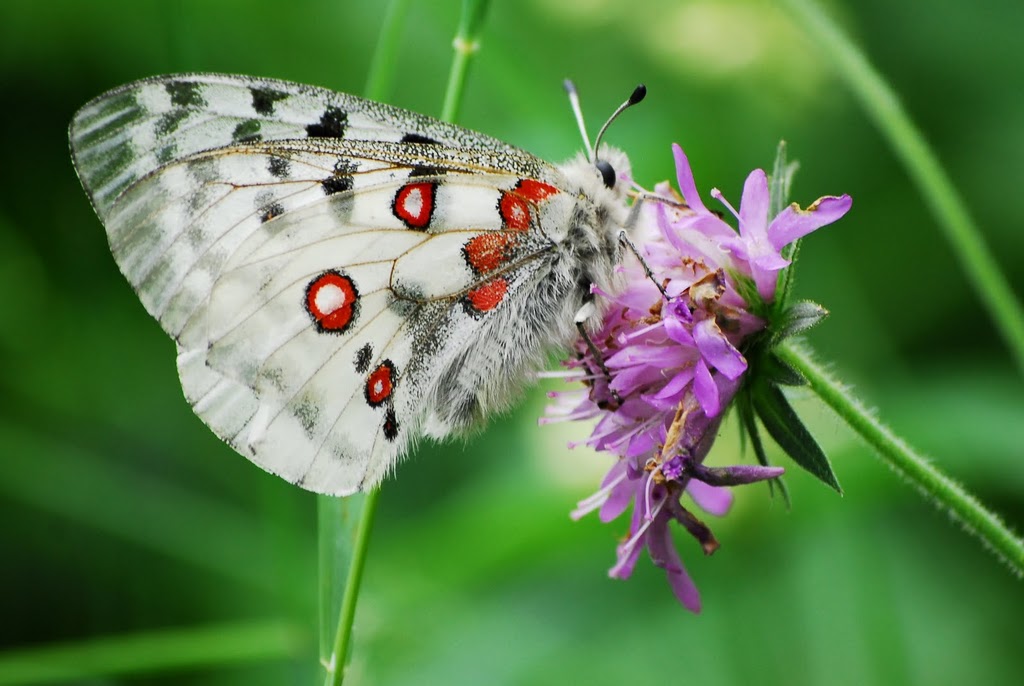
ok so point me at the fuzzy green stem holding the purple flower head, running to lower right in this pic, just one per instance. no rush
(935, 486)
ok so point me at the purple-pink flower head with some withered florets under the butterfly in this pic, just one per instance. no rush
(669, 359)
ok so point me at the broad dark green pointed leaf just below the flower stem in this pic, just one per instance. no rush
(785, 426)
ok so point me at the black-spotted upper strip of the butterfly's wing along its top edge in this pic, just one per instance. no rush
(126, 134)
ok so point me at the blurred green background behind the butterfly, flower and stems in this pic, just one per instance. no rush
(121, 514)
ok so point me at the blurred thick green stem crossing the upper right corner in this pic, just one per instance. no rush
(940, 193)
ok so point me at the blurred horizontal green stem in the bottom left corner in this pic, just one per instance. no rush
(159, 653)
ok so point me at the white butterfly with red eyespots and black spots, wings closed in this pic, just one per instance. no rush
(342, 277)
